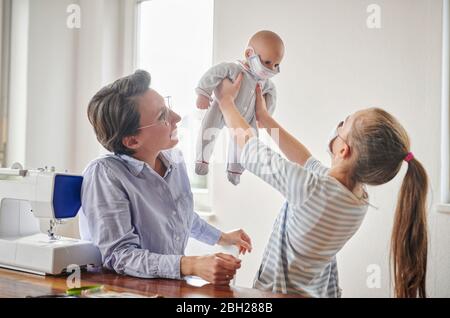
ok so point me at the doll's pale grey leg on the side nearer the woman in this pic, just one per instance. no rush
(209, 131)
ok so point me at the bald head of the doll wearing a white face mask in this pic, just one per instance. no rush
(264, 53)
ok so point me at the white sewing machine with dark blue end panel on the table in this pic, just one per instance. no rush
(33, 202)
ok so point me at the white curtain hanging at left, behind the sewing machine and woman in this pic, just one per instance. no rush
(55, 70)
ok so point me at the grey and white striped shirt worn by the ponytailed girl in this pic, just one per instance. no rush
(319, 216)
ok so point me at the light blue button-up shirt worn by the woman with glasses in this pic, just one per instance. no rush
(139, 220)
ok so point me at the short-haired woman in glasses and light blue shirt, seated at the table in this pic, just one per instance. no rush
(137, 205)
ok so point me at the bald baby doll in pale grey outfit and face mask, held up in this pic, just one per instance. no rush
(263, 56)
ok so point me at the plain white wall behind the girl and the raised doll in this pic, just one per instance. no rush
(333, 66)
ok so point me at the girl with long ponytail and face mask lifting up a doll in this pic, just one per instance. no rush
(325, 207)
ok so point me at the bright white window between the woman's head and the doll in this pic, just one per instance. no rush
(175, 44)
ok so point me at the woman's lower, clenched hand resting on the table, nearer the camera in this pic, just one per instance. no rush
(218, 269)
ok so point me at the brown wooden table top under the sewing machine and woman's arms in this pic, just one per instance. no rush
(14, 284)
